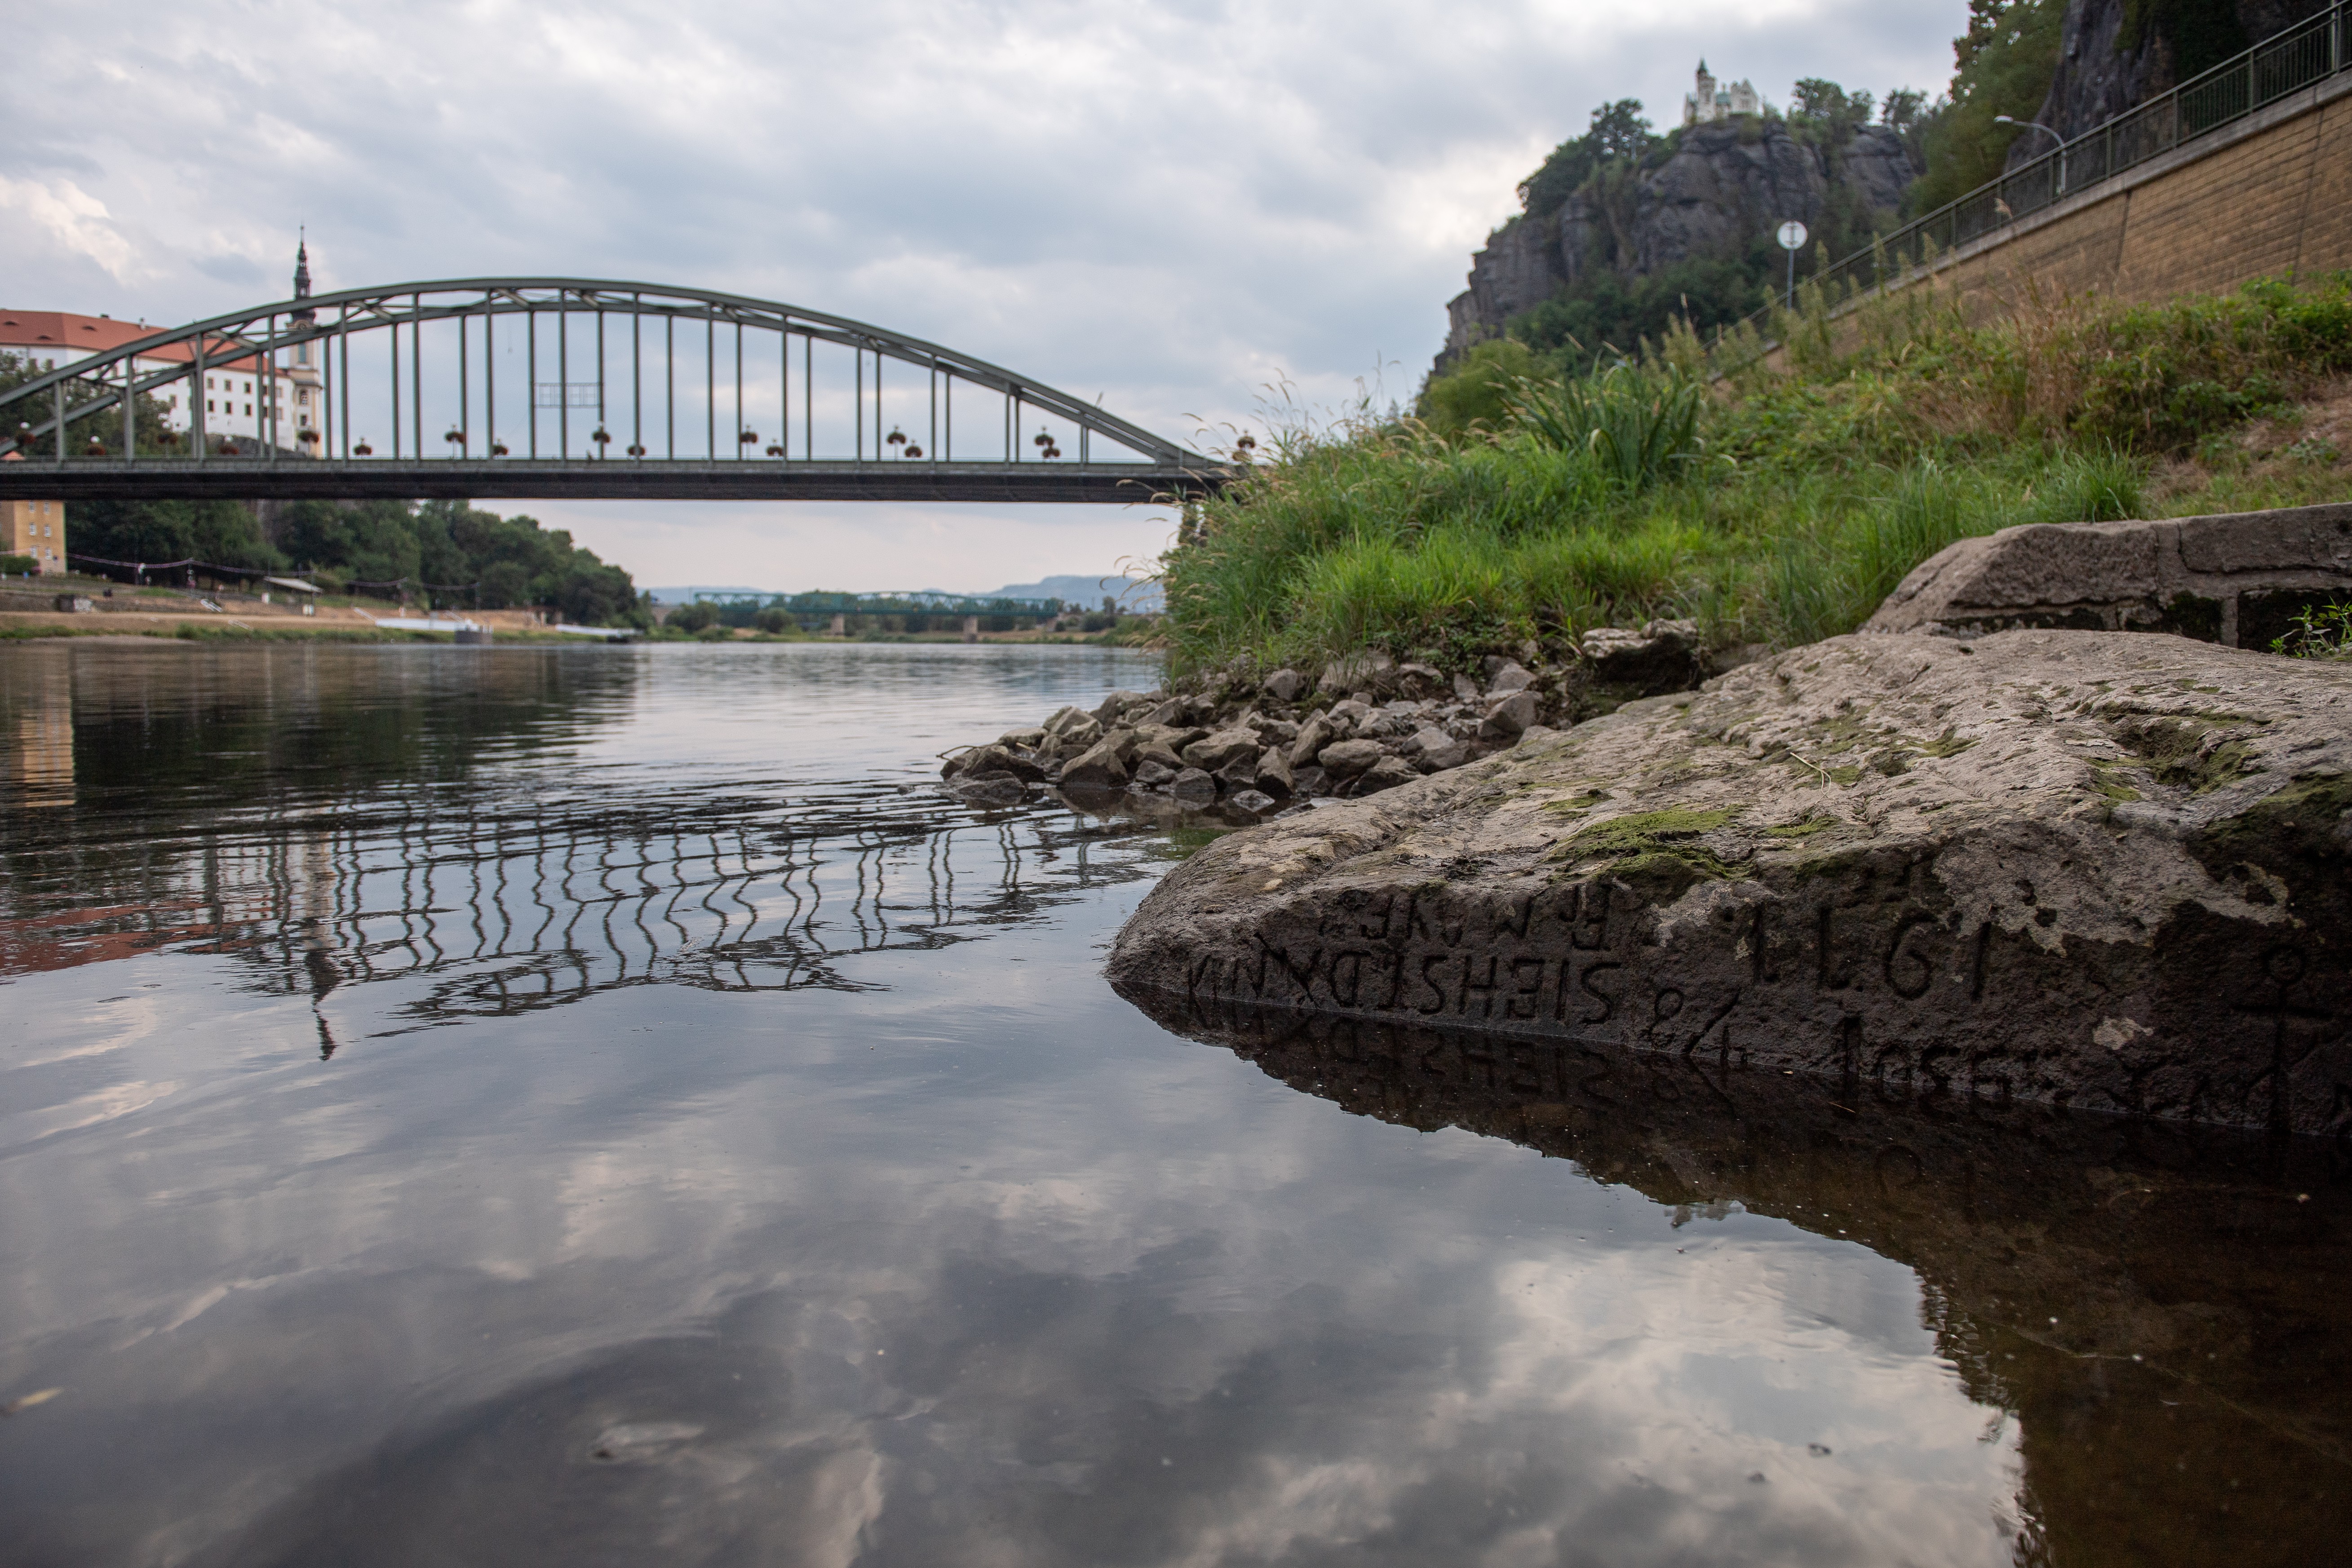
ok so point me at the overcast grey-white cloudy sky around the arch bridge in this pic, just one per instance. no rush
(1170, 206)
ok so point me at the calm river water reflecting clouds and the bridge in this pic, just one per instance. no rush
(523, 1106)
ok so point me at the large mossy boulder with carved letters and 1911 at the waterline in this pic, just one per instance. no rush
(2085, 869)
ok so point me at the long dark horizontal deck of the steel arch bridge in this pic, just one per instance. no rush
(594, 481)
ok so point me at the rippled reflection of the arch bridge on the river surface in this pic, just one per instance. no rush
(493, 913)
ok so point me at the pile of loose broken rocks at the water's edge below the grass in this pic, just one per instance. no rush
(1365, 725)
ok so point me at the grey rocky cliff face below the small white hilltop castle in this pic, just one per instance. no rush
(1718, 189)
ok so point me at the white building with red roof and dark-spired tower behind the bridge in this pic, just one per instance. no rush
(236, 389)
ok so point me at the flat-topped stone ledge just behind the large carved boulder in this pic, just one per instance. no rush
(2236, 579)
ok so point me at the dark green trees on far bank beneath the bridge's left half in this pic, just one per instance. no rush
(399, 549)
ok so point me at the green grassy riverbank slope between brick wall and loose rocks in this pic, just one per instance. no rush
(1772, 507)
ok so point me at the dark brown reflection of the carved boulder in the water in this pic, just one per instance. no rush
(2163, 1308)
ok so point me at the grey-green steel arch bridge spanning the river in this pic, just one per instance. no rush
(568, 389)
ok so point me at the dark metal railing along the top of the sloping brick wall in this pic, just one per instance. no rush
(2283, 65)
